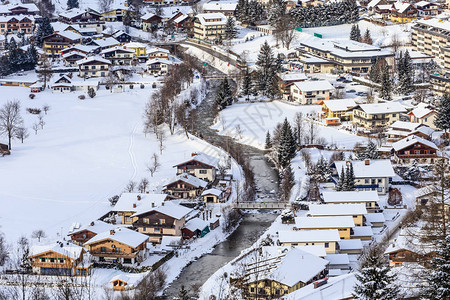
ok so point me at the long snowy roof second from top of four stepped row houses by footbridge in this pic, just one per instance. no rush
(318, 210)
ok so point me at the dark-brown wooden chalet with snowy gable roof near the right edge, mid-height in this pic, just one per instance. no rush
(414, 148)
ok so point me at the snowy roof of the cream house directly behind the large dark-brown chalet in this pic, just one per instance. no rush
(148, 201)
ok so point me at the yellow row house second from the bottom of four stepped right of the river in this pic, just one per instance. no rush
(343, 224)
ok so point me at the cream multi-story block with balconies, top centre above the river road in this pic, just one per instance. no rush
(209, 26)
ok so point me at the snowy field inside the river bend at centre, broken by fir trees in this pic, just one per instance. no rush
(249, 123)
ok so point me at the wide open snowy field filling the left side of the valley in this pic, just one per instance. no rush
(87, 152)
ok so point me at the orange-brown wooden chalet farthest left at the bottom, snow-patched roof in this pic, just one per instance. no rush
(60, 258)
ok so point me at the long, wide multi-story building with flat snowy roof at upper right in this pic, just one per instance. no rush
(348, 56)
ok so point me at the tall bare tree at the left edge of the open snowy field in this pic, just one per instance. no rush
(10, 120)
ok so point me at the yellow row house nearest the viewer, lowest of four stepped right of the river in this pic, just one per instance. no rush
(326, 237)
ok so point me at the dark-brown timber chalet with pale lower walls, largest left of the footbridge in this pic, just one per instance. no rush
(165, 220)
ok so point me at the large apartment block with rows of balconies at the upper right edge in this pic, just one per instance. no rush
(432, 37)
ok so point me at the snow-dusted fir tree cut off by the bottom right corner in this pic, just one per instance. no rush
(438, 276)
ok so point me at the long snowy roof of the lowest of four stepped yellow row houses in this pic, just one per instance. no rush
(306, 236)
